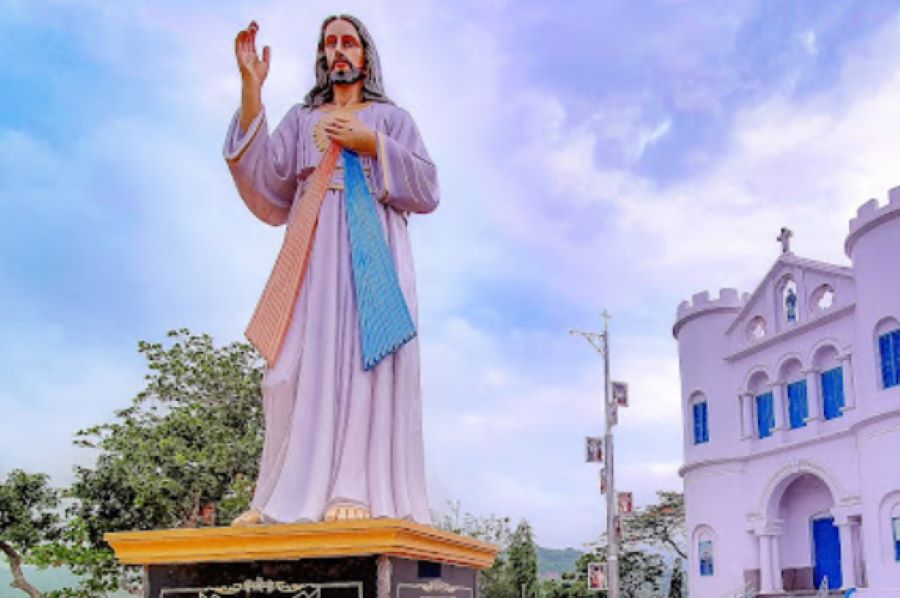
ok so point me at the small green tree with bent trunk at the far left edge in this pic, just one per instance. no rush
(28, 518)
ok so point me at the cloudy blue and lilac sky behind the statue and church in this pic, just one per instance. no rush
(618, 155)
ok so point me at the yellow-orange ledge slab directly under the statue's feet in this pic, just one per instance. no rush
(392, 537)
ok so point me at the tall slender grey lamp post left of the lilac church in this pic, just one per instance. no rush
(600, 342)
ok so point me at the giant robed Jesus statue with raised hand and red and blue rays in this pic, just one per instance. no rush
(344, 170)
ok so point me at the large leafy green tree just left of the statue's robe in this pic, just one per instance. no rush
(183, 454)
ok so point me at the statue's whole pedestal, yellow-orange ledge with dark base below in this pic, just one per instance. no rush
(363, 559)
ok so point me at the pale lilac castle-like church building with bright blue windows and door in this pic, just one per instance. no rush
(785, 489)
